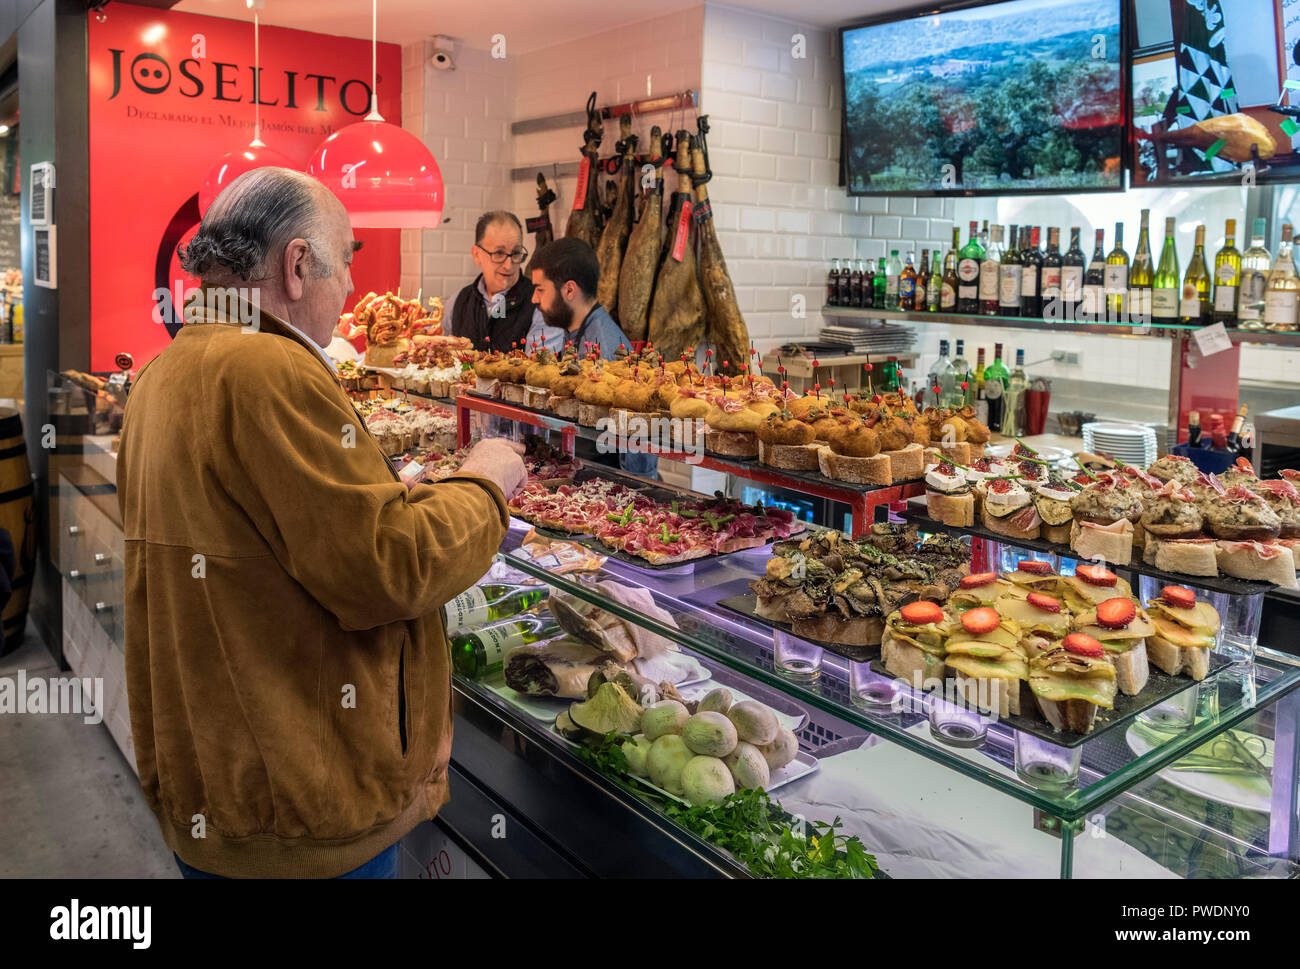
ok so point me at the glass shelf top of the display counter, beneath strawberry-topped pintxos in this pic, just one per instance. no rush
(1110, 767)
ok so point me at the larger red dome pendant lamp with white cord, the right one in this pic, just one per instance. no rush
(385, 178)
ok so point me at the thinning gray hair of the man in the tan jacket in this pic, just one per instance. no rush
(245, 231)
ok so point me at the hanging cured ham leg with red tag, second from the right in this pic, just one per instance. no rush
(678, 308)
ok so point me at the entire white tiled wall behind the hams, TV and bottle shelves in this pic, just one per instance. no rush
(774, 144)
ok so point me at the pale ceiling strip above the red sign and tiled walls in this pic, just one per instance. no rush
(536, 23)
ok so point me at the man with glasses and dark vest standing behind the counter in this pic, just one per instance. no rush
(497, 309)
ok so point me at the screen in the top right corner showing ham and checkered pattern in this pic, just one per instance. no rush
(1216, 90)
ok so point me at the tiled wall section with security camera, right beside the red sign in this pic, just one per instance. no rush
(465, 118)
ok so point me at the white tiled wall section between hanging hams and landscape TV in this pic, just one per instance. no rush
(775, 146)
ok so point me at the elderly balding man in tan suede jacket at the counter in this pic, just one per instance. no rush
(287, 665)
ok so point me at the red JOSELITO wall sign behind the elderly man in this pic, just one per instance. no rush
(171, 94)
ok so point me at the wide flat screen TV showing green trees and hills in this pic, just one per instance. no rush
(989, 100)
